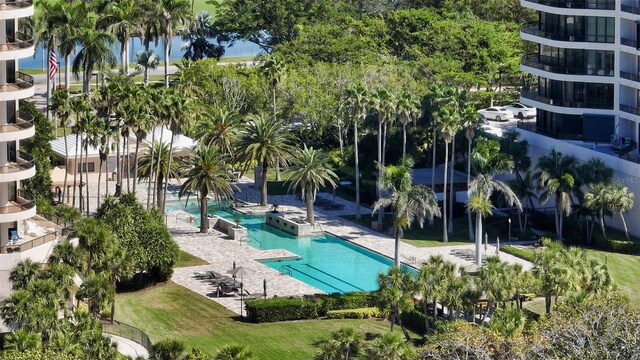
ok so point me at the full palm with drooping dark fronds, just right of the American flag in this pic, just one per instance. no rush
(95, 52)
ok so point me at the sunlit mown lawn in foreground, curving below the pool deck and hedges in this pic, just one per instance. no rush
(171, 311)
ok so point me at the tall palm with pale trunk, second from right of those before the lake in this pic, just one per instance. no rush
(122, 19)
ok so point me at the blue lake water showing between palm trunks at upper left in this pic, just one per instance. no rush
(240, 48)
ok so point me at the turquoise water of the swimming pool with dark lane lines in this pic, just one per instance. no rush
(326, 262)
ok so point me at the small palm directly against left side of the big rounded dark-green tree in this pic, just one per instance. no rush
(94, 238)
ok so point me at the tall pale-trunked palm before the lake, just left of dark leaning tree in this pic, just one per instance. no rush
(172, 14)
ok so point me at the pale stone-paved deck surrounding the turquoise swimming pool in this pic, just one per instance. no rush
(220, 252)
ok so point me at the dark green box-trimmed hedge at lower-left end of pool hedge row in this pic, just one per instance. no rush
(280, 309)
